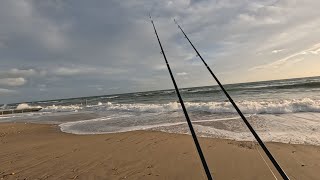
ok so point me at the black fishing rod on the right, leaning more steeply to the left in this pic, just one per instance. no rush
(265, 149)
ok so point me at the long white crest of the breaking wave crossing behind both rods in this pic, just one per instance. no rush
(250, 107)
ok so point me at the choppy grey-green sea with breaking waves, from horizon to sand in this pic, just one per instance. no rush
(281, 111)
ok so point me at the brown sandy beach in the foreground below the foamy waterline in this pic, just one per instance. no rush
(33, 151)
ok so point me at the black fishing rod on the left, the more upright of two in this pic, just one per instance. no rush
(194, 136)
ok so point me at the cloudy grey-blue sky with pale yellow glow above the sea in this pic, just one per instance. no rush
(51, 49)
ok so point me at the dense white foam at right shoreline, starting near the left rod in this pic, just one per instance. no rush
(297, 128)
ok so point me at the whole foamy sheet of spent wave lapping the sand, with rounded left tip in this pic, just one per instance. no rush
(295, 128)
